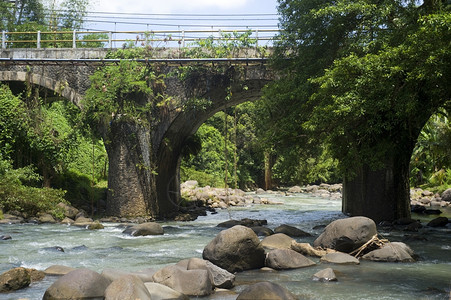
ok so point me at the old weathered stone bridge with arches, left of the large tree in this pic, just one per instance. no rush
(144, 161)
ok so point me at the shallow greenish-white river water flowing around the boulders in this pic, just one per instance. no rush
(33, 246)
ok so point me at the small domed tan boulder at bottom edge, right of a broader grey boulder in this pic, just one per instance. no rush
(128, 287)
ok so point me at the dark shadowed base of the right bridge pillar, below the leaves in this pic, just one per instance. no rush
(382, 195)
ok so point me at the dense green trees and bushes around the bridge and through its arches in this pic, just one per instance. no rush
(356, 91)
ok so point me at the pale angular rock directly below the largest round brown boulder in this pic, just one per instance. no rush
(220, 277)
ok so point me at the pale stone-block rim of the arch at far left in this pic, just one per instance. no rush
(59, 87)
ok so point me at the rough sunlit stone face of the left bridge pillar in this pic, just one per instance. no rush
(131, 175)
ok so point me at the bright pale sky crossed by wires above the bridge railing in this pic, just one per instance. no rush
(194, 13)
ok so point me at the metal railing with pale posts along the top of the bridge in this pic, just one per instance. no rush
(117, 39)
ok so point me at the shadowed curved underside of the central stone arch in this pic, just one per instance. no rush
(186, 123)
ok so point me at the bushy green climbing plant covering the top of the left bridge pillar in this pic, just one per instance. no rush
(113, 87)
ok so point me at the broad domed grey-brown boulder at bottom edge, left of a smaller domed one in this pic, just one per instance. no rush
(78, 284)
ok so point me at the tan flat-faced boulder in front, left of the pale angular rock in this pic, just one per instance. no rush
(189, 282)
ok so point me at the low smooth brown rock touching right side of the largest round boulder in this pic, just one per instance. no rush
(281, 259)
